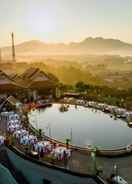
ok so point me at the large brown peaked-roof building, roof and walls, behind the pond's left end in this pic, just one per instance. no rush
(33, 81)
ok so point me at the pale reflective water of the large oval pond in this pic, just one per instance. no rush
(84, 126)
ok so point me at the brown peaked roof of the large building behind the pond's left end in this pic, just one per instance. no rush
(31, 78)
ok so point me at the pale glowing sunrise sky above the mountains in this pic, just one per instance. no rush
(65, 20)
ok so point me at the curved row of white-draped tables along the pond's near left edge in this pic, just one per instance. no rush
(42, 147)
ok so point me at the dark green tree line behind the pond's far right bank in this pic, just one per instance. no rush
(103, 94)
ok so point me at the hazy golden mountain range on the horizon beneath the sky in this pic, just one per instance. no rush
(89, 45)
